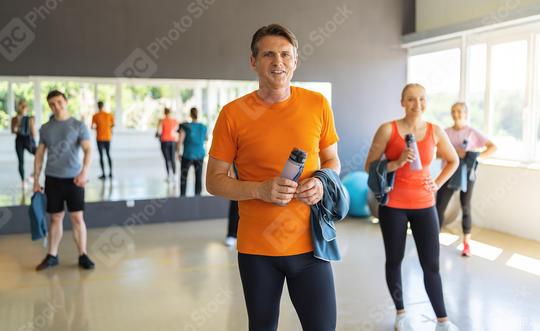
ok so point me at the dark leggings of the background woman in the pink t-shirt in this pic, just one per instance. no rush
(443, 198)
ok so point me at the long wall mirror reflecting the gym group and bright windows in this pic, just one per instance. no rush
(137, 109)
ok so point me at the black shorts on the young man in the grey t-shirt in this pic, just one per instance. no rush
(63, 190)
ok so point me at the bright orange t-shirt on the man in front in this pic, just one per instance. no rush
(259, 138)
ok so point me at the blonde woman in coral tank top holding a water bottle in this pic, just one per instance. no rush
(409, 144)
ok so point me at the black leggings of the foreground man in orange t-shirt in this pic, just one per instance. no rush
(311, 289)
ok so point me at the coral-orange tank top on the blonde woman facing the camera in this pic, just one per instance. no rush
(409, 191)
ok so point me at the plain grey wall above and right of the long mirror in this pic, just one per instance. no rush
(362, 57)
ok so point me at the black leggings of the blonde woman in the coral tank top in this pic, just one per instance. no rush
(425, 229)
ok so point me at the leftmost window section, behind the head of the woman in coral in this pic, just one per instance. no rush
(438, 72)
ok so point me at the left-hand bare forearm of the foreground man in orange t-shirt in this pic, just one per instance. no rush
(233, 189)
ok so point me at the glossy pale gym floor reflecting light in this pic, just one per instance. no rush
(179, 276)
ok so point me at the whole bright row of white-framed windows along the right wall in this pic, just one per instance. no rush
(498, 77)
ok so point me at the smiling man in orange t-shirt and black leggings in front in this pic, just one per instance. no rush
(257, 132)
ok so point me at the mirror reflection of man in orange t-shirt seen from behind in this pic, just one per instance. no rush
(103, 122)
